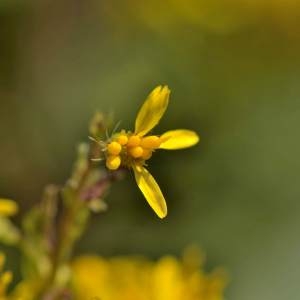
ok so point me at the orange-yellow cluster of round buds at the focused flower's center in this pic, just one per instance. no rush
(126, 149)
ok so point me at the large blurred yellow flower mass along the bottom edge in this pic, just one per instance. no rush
(132, 278)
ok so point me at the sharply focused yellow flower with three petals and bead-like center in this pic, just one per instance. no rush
(133, 149)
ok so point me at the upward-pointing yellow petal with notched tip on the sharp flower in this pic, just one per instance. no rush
(152, 110)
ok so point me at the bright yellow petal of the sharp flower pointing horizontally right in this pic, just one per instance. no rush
(178, 139)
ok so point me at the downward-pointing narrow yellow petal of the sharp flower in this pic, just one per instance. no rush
(150, 190)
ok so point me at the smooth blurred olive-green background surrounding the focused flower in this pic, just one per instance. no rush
(233, 67)
